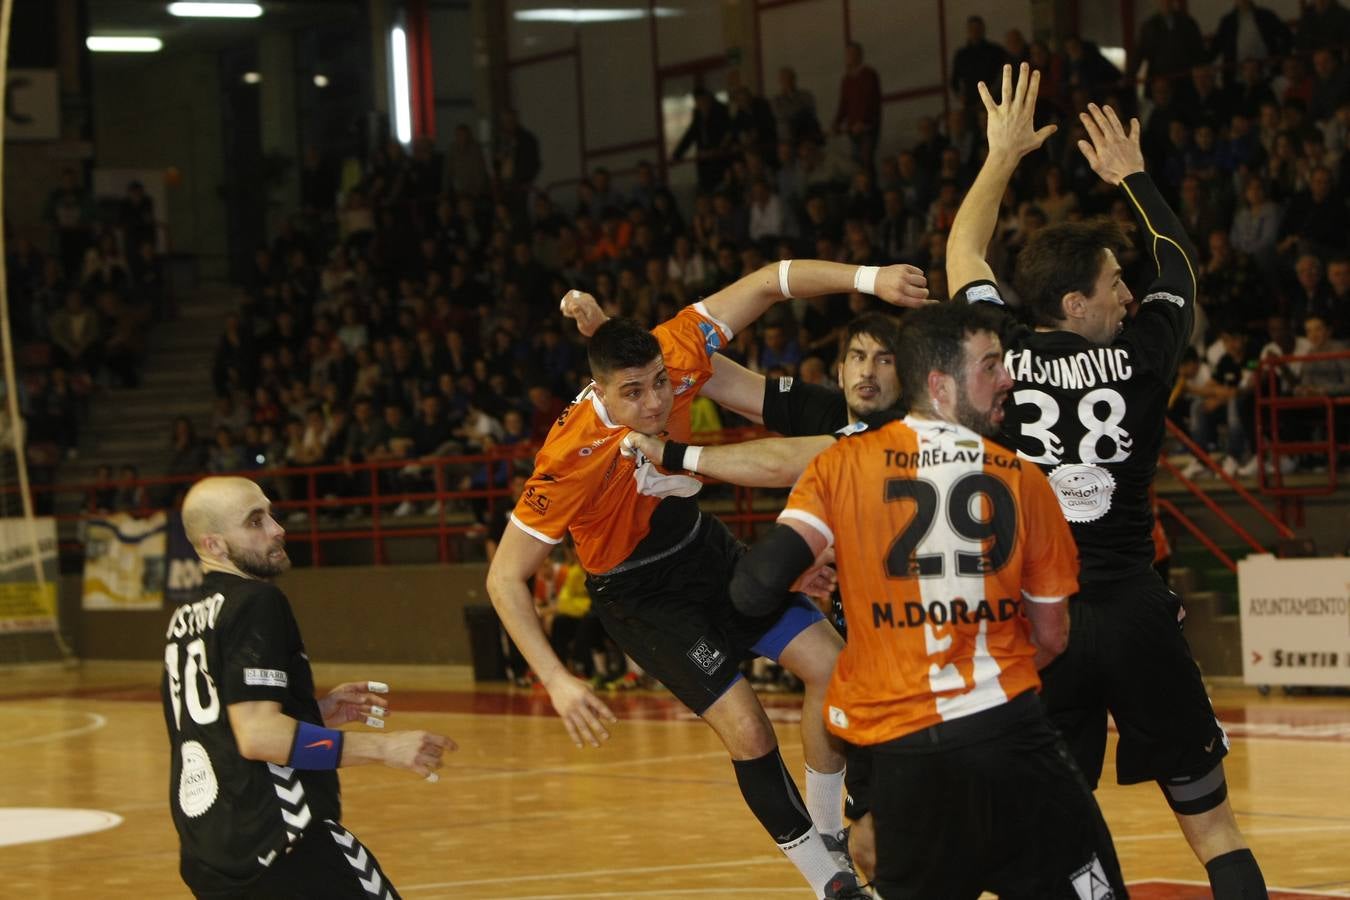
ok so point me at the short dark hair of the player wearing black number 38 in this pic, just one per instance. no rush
(1060, 260)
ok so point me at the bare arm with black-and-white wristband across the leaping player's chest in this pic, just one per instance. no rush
(769, 462)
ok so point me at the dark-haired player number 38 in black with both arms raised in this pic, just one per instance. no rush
(1089, 405)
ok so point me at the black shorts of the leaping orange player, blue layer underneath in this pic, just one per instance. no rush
(677, 620)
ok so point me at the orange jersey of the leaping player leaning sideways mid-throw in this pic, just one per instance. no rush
(583, 481)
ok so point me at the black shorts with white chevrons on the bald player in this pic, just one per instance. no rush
(329, 863)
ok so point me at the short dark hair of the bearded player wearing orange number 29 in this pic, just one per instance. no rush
(934, 338)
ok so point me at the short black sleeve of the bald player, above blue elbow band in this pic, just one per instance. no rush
(256, 646)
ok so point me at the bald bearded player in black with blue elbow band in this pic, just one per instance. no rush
(254, 786)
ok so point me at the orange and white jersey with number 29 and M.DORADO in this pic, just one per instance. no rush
(940, 538)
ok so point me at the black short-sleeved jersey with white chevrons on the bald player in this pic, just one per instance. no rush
(240, 643)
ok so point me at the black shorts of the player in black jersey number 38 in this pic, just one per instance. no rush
(1128, 655)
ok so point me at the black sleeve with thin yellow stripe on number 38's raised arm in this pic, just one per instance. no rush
(1167, 310)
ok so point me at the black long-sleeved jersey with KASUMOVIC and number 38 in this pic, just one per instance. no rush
(1093, 418)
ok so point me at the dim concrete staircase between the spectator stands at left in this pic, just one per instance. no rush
(133, 426)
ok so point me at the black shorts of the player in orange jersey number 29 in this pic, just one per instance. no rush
(990, 802)
